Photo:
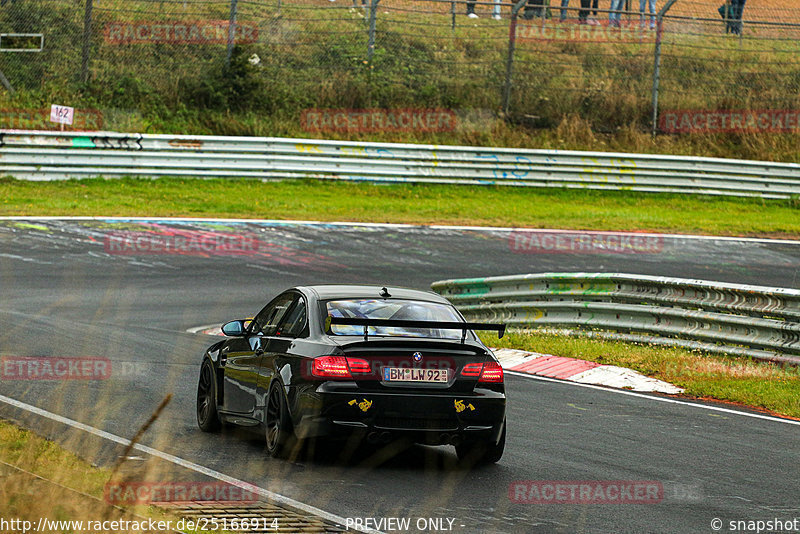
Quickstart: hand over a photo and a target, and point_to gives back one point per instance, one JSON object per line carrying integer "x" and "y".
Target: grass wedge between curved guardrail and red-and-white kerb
{"x": 754, "y": 383}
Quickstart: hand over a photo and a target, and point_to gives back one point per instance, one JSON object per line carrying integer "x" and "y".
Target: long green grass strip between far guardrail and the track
{"x": 404, "y": 203}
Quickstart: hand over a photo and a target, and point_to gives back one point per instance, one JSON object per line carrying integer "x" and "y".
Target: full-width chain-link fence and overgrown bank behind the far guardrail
{"x": 673, "y": 66}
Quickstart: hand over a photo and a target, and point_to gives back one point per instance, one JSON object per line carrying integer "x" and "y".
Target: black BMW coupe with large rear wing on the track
{"x": 332, "y": 361}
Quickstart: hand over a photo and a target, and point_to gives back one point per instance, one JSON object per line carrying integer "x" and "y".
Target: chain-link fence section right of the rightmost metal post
{"x": 720, "y": 73}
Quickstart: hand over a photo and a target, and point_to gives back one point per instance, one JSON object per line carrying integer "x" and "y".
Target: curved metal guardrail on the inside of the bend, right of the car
{"x": 760, "y": 322}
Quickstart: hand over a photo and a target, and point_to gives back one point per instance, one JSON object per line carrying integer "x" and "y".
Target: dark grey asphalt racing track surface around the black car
{"x": 65, "y": 294}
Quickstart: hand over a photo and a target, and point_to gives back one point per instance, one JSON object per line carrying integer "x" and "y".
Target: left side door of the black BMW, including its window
{"x": 244, "y": 355}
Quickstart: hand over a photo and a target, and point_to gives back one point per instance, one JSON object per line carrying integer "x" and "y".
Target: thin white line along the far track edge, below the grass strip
{"x": 397, "y": 225}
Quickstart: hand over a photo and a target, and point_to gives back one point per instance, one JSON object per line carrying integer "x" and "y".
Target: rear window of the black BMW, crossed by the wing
{"x": 407, "y": 310}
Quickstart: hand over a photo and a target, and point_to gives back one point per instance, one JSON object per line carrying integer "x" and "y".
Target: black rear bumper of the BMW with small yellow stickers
{"x": 436, "y": 418}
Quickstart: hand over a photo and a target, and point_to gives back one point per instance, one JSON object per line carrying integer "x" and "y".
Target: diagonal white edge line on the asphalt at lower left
{"x": 278, "y": 498}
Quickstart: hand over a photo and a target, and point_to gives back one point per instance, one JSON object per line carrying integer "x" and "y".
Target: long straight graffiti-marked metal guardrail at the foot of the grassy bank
{"x": 34, "y": 155}
